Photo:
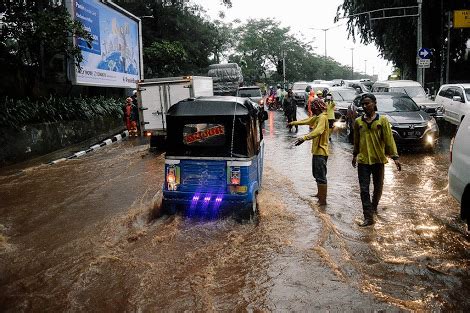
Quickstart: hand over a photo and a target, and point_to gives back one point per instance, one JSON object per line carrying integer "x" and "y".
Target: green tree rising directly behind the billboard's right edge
{"x": 179, "y": 39}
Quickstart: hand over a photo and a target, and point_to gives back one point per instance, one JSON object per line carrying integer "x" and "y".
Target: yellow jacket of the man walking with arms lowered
{"x": 374, "y": 141}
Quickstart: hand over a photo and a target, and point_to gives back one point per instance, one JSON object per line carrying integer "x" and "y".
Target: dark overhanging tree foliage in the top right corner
{"x": 397, "y": 40}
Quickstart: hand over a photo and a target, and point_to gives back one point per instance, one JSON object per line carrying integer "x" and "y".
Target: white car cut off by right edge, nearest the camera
{"x": 459, "y": 170}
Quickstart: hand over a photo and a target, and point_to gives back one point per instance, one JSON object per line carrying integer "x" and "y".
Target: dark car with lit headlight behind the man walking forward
{"x": 411, "y": 126}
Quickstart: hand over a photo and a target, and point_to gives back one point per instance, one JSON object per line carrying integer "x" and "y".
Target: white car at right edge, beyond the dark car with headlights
{"x": 455, "y": 100}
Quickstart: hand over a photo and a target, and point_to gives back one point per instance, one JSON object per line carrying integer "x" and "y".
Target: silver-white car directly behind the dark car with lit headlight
{"x": 412, "y": 89}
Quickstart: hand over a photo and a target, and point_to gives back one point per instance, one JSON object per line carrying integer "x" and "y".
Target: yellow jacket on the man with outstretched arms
{"x": 319, "y": 134}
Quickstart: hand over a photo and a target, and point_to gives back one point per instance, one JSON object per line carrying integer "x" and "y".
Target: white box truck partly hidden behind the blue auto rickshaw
{"x": 156, "y": 96}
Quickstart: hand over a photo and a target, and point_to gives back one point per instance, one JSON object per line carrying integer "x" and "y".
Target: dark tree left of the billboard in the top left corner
{"x": 33, "y": 33}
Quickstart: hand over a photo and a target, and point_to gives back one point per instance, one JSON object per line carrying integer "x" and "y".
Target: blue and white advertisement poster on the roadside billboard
{"x": 113, "y": 58}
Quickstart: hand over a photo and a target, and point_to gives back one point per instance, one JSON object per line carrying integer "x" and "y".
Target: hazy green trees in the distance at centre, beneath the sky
{"x": 261, "y": 45}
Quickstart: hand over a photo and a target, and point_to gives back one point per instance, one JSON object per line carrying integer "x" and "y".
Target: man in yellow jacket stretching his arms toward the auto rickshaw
{"x": 319, "y": 137}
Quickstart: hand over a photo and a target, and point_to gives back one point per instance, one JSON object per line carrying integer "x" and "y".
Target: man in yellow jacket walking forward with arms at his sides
{"x": 373, "y": 142}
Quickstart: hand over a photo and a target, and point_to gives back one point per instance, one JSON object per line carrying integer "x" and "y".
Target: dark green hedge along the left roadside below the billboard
{"x": 16, "y": 113}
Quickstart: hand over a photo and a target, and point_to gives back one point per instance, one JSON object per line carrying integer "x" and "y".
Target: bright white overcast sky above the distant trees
{"x": 301, "y": 16}
